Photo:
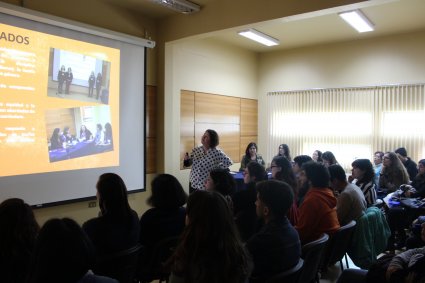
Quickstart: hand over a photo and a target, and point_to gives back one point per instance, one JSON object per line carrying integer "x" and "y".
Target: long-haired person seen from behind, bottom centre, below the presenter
{"x": 210, "y": 250}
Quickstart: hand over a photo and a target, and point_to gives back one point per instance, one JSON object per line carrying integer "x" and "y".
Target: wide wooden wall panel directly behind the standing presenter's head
{"x": 229, "y": 137}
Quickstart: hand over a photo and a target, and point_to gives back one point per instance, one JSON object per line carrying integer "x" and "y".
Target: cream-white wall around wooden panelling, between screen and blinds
{"x": 205, "y": 66}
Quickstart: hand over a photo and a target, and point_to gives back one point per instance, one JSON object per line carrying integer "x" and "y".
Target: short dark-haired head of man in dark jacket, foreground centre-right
{"x": 274, "y": 198}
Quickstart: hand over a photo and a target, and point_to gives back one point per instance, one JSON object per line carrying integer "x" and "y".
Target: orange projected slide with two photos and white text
{"x": 59, "y": 103}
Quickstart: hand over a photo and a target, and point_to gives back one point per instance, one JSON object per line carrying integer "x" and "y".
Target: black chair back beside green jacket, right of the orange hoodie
{"x": 337, "y": 246}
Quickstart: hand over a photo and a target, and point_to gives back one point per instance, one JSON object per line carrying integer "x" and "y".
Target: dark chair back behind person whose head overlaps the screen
{"x": 121, "y": 265}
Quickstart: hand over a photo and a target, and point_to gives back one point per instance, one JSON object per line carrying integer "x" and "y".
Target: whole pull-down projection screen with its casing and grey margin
{"x": 72, "y": 106}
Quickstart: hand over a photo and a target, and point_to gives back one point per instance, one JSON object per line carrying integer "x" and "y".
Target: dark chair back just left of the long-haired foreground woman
{"x": 152, "y": 268}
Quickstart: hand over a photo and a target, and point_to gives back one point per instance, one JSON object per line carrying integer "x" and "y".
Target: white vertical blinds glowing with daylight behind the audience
{"x": 351, "y": 122}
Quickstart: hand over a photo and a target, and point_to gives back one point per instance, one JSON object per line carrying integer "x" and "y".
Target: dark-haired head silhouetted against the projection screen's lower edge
{"x": 112, "y": 195}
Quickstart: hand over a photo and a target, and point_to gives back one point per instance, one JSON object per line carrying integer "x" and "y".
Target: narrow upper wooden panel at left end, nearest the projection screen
{"x": 187, "y": 113}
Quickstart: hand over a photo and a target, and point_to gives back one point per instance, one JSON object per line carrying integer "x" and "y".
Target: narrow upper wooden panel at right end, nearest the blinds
{"x": 249, "y": 117}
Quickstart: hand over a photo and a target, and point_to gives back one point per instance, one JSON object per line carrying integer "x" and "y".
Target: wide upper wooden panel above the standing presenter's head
{"x": 210, "y": 108}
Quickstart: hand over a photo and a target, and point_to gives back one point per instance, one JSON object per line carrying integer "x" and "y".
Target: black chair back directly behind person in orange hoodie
{"x": 312, "y": 255}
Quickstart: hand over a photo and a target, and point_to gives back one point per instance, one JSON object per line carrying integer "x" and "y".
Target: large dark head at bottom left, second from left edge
{"x": 63, "y": 253}
